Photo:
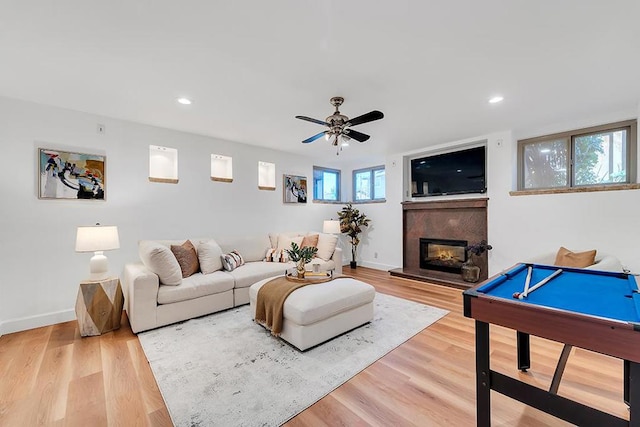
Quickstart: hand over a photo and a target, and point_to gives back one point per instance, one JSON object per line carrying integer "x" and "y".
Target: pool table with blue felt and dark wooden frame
{"x": 594, "y": 310}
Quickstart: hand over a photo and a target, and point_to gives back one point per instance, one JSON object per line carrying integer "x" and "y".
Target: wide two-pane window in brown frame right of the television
{"x": 601, "y": 155}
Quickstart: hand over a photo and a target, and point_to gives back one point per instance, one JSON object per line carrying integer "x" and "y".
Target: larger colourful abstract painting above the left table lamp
{"x": 69, "y": 175}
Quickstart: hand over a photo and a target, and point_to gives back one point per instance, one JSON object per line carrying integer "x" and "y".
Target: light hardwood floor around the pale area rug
{"x": 52, "y": 376}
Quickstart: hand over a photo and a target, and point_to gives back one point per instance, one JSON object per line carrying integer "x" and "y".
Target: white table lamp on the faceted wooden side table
{"x": 97, "y": 238}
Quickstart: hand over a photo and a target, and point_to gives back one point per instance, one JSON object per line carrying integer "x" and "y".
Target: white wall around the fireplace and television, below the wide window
{"x": 519, "y": 227}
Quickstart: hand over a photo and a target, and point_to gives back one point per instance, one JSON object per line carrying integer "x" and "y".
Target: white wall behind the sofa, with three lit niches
{"x": 40, "y": 271}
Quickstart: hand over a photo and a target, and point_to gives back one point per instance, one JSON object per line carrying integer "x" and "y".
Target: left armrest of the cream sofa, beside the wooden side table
{"x": 141, "y": 296}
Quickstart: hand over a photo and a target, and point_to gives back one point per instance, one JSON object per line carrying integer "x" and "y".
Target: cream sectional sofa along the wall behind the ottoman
{"x": 157, "y": 295}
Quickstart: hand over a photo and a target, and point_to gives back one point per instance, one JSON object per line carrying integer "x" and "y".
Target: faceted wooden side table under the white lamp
{"x": 99, "y": 306}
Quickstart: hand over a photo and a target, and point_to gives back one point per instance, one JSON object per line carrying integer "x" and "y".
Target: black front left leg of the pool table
{"x": 483, "y": 376}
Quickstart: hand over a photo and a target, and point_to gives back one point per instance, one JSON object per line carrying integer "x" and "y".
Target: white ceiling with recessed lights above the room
{"x": 251, "y": 66}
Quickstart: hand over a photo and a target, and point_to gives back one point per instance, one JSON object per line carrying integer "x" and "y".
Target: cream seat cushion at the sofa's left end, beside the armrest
{"x": 195, "y": 286}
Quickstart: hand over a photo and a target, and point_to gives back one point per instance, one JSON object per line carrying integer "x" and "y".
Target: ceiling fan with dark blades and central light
{"x": 339, "y": 125}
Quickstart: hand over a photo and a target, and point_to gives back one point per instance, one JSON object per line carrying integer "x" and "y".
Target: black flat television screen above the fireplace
{"x": 458, "y": 172}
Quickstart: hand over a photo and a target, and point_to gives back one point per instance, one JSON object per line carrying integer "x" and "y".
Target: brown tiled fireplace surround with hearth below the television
{"x": 461, "y": 219}
